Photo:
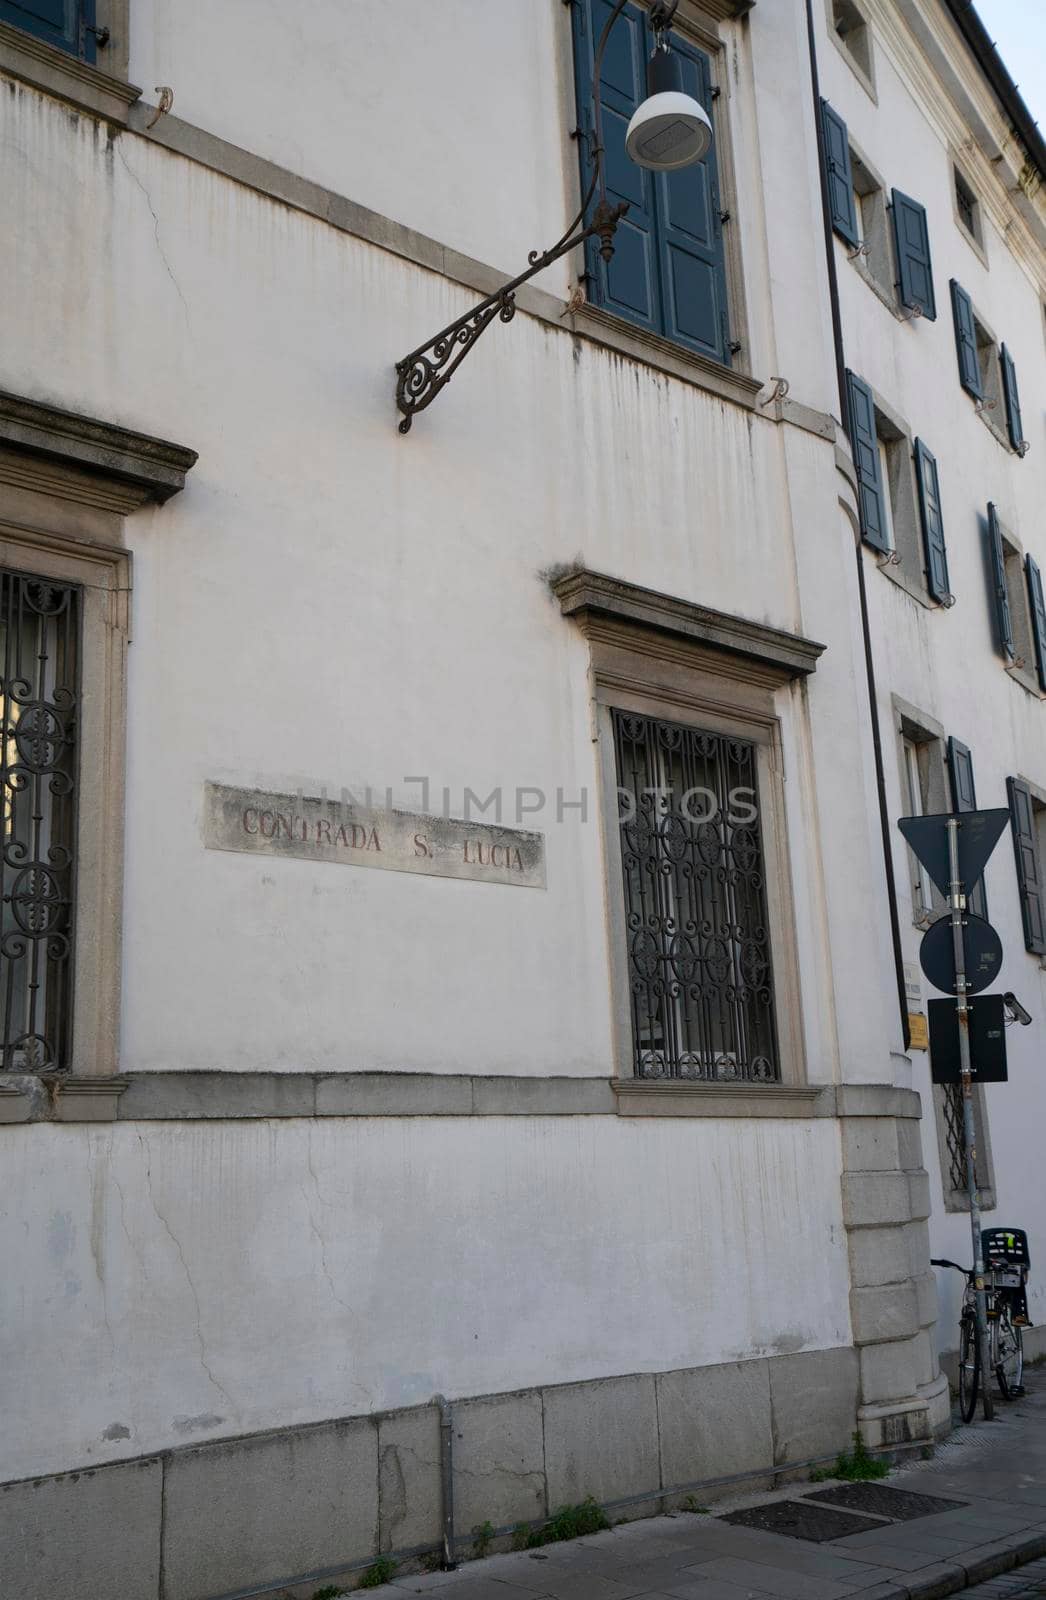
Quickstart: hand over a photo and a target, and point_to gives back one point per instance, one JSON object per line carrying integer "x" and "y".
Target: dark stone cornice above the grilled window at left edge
{"x": 84, "y": 458}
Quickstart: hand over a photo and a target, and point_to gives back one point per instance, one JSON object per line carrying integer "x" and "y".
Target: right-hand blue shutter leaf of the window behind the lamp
{"x": 690, "y": 234}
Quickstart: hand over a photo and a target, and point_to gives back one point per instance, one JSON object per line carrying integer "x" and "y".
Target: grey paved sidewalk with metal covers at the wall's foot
{"x": 997, "y": 1473}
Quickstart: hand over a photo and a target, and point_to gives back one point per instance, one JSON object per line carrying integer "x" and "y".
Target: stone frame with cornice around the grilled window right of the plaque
{"x": 668, "y": 658}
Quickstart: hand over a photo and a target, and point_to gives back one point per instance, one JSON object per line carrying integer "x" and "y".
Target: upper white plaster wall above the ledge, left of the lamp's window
{"x": 449, "y": 118}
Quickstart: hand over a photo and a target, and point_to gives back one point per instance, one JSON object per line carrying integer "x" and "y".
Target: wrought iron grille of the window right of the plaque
{"x": 700, "y": 961}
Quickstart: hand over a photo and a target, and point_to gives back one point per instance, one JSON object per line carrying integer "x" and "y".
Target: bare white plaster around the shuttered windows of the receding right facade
{"x": 944, "y": 663}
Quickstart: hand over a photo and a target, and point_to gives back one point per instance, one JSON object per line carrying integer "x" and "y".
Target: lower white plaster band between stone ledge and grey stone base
{"x": 167, "y": 1284}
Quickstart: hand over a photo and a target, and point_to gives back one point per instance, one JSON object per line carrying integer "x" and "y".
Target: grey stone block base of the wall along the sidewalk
{"x": 269, "y": 1513}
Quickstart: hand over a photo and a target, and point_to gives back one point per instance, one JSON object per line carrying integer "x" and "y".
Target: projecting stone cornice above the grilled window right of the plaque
{"x": 597, "y": 601}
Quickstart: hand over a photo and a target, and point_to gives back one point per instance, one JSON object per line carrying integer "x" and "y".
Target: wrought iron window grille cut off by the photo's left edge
{"x": 39, "y": 714}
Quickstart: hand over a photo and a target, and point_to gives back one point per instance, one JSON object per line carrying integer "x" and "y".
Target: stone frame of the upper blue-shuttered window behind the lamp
{"x": 698, "y": 20}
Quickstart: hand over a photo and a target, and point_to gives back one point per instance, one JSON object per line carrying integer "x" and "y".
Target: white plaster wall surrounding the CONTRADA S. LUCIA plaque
{"x": 332, "y": 604}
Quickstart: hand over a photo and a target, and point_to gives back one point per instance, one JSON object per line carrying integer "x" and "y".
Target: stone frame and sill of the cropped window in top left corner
{"x": 100, "y": 89}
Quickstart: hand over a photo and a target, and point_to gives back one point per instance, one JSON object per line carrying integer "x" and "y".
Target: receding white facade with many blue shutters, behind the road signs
{"x": 940, "y": 265}
